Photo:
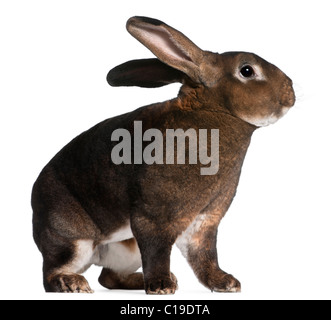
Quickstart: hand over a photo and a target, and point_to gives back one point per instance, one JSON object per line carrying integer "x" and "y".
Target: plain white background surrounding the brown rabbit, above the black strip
{"x": 54, "y": 59}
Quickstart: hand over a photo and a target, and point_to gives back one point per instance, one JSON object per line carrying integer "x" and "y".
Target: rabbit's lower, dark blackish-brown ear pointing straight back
{"x": 147, "y": 73}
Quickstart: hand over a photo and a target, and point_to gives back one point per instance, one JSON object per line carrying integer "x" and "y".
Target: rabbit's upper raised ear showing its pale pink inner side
{"x": 169, "y": 45}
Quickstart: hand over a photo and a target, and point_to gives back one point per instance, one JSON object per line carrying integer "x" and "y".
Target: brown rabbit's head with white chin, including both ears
{"x": 239, "y": 83}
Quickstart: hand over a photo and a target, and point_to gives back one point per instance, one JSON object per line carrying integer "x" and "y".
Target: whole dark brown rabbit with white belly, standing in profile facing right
{"x": 88, "y": 210}
